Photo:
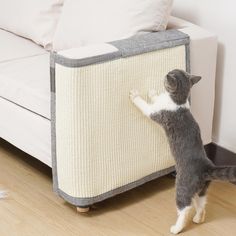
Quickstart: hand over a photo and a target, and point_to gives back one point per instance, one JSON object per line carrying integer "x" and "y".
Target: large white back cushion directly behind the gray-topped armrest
{"x": 93, "y": 21}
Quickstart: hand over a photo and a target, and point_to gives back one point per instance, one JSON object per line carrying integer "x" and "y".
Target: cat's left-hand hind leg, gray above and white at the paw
{"x": 184, "y": 205}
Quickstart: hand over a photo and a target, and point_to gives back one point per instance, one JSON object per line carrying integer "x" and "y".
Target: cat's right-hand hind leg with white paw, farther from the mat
{"x": 200, "y": 201}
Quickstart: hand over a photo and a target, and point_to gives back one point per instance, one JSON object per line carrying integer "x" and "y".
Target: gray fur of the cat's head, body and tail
{"x": 194, "y": 169}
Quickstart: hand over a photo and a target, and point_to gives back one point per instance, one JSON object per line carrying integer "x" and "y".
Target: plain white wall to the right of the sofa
{"x": 219, "y": 17}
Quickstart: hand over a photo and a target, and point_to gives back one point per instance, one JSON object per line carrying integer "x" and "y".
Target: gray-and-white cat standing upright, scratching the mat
{"x": 194, "y": 170}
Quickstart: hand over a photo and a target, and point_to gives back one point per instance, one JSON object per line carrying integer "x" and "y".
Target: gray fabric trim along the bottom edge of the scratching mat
{"x": 82, "y": 202}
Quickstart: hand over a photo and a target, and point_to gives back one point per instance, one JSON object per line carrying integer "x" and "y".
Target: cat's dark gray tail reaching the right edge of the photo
{"x": 224, "y": 173}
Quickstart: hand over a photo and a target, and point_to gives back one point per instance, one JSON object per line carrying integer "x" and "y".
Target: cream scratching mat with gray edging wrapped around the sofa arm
{"x": 101, "y": 144}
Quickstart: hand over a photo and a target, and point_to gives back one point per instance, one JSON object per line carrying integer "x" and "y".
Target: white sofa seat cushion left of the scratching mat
{"x": 24, "y": 74}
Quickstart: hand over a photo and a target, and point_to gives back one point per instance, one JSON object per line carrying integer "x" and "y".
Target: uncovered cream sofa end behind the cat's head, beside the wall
{"x": 203, "y": 55}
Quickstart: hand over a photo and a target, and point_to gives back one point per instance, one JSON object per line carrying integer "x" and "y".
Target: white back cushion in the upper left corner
{"x": 33, "y": 19}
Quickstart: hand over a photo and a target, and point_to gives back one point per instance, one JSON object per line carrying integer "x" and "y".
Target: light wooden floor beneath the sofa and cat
{"x": 32, "y": 209}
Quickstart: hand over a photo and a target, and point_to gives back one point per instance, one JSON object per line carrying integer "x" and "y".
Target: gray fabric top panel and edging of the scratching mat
{"x": 138, "y": 44}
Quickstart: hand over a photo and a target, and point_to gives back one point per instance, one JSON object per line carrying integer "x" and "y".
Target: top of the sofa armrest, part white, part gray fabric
{"x": 136, "y": 45}
